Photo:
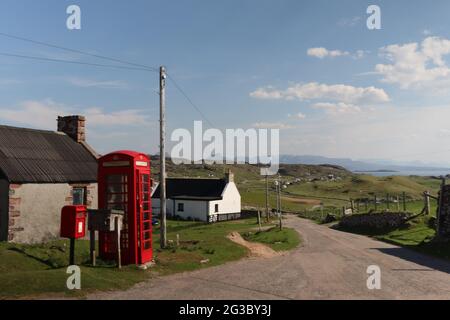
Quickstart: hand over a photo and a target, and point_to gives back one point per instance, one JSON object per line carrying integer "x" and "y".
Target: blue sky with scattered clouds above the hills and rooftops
{"x": 310, "y": 68}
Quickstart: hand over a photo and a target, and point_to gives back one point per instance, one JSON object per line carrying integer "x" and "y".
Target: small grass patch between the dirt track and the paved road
{"x": 278, "y": 240}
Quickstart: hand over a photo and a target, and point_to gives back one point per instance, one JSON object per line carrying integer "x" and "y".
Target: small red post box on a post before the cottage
{"x": 73, "y": 222}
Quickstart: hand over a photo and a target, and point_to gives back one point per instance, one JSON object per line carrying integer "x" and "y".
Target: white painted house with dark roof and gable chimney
{"x": 208, "y": 200}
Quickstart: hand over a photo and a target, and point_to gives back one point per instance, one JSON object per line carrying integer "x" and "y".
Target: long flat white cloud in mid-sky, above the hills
{"x": 315, "y": 91}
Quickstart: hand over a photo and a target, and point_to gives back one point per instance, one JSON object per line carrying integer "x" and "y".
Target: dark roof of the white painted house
{"x": 193, "y": 189}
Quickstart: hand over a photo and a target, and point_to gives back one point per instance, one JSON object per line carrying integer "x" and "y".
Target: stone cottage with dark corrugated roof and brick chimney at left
{"x": 41, "y": 172}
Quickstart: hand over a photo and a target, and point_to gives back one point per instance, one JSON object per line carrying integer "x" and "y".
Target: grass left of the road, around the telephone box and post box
{"x": 30, "y": 270}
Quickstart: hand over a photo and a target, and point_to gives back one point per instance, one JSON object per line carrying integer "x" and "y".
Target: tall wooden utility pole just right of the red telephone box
{"x": 162, "y": 155}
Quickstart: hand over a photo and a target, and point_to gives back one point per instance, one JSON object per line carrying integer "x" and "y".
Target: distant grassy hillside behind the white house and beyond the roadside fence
{"x": 306, "y": 186}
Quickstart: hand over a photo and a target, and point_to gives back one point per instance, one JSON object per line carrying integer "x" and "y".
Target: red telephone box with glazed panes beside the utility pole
{"x": 124, "y": 183}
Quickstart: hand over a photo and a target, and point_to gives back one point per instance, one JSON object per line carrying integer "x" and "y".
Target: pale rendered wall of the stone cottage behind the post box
{"x": 35, "y": 209}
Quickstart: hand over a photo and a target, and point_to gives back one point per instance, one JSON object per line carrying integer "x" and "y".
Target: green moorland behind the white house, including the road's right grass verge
{"x": 318, "y": 191}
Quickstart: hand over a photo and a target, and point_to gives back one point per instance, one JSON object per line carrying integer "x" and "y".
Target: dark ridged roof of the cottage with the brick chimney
{"x": 38, "y": 156}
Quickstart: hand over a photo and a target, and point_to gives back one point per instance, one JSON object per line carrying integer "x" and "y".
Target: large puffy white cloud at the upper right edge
{"x": 415, "y": 65}
